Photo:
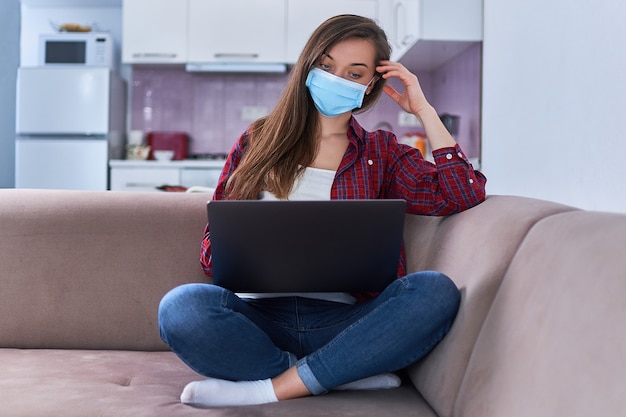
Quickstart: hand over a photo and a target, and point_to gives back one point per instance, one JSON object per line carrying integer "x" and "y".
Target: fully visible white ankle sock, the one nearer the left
{"x": 218, "y": 392}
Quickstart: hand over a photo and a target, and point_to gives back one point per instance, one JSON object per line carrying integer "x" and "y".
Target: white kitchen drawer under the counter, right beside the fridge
{"x": 143, "y": 179}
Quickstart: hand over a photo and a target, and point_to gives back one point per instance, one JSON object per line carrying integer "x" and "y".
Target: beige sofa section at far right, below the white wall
{"x": 554, "y": 341}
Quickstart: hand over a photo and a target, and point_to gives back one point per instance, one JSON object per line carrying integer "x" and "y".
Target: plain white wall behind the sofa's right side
{"x": 554, "y": 100}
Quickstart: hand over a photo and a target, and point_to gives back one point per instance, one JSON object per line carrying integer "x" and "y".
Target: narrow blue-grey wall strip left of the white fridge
{"x": 9, "y": 45}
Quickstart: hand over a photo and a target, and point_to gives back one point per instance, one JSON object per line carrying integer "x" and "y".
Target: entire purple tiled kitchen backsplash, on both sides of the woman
{"x": 208, "y": 106}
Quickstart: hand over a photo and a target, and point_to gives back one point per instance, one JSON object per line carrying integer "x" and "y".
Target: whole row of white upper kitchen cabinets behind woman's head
{"x": 423, "y": 34}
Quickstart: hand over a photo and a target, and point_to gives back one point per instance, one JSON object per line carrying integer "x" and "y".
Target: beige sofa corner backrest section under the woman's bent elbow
{"x": 474, "y": 248}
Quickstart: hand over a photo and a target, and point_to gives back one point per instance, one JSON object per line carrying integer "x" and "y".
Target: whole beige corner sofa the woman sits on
{"x": 541, "y": 330}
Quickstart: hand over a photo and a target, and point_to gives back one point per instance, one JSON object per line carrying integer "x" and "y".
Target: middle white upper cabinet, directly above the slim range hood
{"x": 237, "y": 31}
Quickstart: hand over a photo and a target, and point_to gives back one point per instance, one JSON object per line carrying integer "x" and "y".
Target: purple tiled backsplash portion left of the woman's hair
{"x": 207, "y": 106}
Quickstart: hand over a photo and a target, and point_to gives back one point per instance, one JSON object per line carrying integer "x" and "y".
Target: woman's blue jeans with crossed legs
{"x": 219, "y": 335}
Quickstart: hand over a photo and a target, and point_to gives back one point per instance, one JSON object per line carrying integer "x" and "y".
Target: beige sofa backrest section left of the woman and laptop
{"x": 86, "y": 270}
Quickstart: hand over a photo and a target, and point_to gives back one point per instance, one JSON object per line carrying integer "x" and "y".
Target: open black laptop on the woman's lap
{"x": 305, "y": 246}
